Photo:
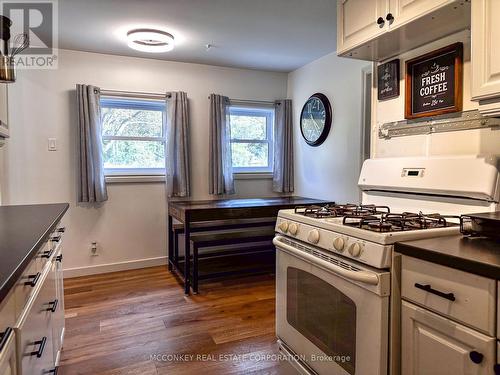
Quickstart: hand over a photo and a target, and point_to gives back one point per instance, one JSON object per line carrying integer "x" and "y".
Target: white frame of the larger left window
{"x": 136, "y": 174}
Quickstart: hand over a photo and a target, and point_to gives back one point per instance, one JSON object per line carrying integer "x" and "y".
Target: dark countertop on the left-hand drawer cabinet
{"x": 23, "y": 229}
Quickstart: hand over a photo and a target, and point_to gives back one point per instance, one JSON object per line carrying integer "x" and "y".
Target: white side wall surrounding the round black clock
{"x": 331, "y": 170}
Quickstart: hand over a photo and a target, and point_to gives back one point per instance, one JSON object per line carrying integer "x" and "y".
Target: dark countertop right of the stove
{"x": 477, "y": 255}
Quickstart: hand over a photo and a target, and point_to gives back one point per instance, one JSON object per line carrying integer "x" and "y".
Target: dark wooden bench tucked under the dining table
{"x": 253, "y": 241}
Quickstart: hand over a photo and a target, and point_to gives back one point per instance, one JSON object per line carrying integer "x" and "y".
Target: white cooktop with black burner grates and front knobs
{"x": 365, "y": 233}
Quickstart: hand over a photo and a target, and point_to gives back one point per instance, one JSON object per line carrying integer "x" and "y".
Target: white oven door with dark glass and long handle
{"x": 331, "y": 312}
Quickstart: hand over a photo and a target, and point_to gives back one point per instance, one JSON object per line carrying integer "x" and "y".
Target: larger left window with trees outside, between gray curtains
{"x": 133, "y": 136}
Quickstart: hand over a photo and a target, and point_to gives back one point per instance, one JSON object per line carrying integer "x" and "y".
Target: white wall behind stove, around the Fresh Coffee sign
{"x": 471, "y": 142}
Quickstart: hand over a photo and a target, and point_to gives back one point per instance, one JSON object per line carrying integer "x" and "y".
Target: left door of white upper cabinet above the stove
{"x": 359, "y": 21}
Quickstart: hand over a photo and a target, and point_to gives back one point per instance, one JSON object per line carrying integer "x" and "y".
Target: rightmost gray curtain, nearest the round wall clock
{"x": 283, "y": 175}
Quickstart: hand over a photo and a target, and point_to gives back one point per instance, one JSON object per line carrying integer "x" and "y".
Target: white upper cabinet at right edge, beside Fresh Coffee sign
{"x": 485, "y": 30}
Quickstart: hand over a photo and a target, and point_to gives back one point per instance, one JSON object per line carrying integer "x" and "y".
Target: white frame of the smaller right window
{"x": 256, "y": 111}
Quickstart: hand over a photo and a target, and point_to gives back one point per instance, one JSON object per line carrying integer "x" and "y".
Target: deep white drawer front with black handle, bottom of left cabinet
{"x": 34, "y": 332}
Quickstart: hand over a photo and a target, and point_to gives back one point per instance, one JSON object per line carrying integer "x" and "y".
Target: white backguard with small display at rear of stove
{"x": 468, "y": 176}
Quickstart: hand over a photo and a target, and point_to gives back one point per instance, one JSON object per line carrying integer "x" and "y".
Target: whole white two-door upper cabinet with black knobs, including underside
{"x": 379, "y": 29}
